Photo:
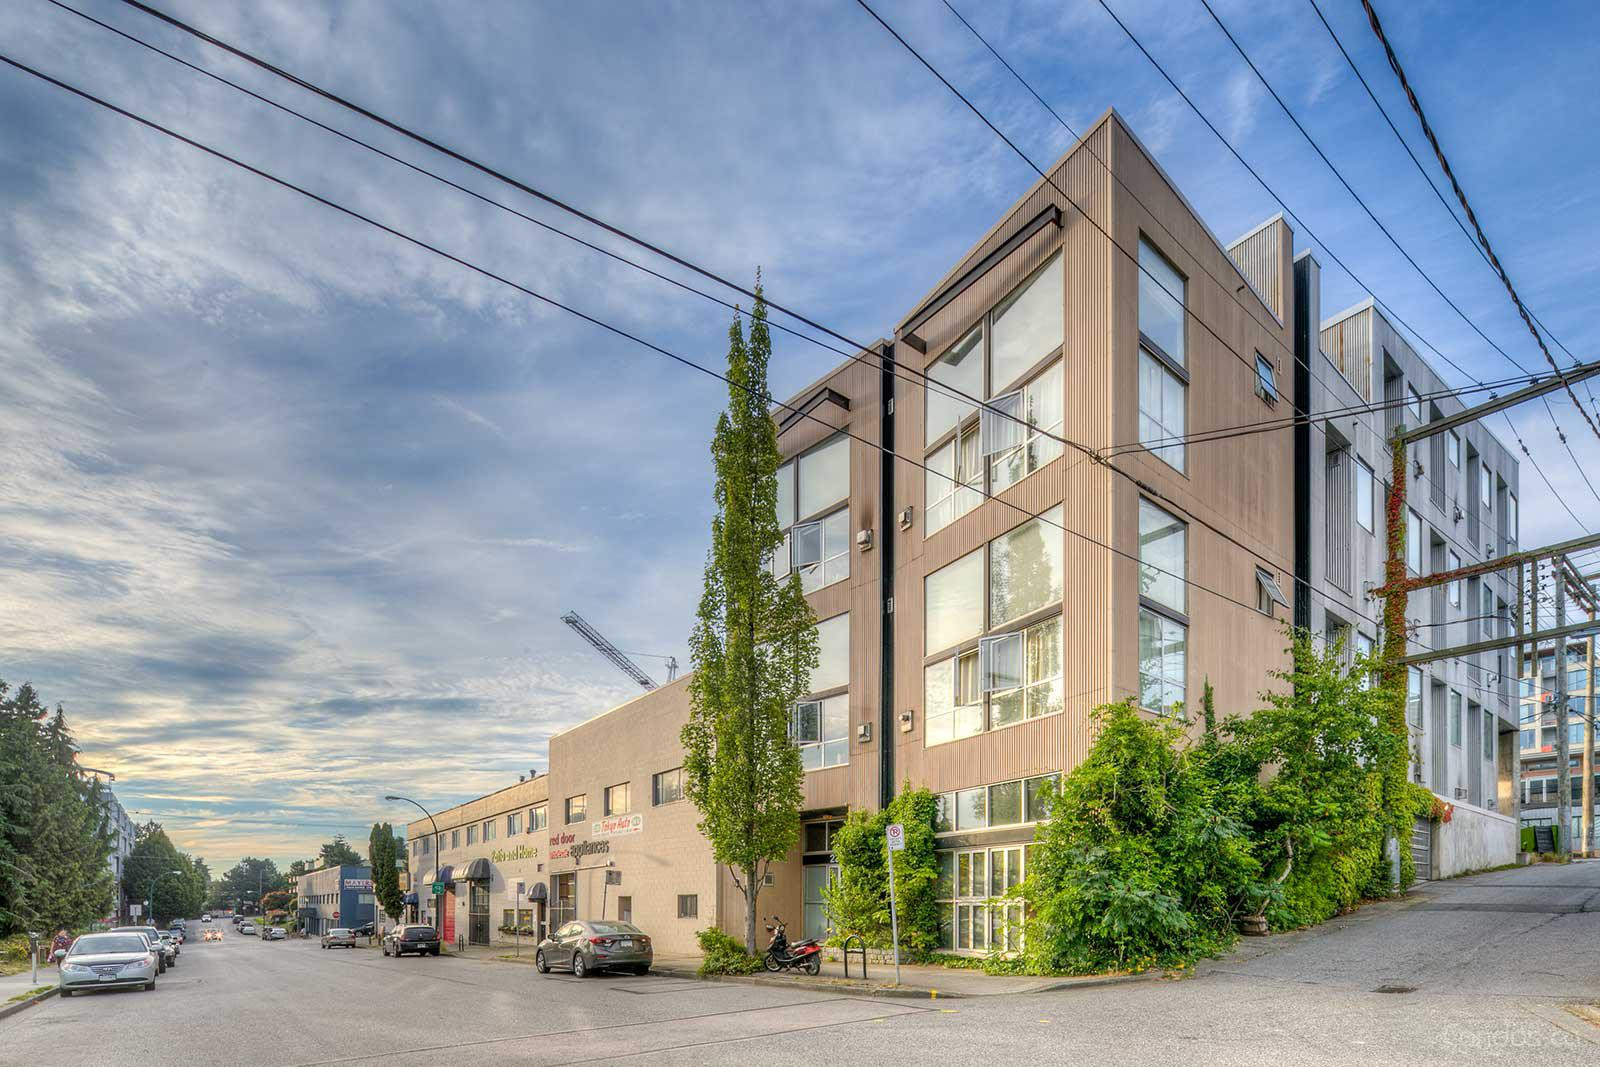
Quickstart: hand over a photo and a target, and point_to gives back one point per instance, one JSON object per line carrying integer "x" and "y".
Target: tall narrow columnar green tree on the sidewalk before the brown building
{"x": 754, "y": 644}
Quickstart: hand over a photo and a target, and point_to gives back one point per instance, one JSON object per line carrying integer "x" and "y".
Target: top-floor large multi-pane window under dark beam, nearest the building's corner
{"x": 1018, "y": 428}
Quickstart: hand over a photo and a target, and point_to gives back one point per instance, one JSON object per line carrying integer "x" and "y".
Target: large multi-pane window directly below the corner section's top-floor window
{"x": 999, "y": 663}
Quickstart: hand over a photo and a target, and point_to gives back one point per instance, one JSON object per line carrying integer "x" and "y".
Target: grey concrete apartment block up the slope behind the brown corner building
{"x": 1462, "y": 502}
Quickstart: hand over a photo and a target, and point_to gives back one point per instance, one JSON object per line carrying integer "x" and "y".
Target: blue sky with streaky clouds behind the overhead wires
{"x": 290, "y": 511}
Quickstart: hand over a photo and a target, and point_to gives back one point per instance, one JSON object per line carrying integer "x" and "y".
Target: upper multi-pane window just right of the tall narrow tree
{"x": 814, "y": 510}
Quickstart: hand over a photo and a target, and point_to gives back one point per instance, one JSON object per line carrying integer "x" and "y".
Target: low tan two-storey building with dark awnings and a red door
{"x": 479, "y": 868}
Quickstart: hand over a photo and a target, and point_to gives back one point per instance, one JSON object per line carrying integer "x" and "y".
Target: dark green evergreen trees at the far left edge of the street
{"x": 55, "y": 842}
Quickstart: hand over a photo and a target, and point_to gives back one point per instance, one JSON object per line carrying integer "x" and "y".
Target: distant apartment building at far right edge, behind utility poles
{"x": 1538, "y": 740}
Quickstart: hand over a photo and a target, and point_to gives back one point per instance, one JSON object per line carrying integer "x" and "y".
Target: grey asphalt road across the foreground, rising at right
{"x": 1478, "y": 970}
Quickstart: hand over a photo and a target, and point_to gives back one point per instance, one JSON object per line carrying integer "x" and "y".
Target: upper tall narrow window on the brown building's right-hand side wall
{"x": 1162, "y": 358}
